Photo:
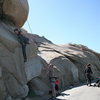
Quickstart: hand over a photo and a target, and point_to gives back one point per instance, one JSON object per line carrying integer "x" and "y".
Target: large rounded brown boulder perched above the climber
{"x": 14, "y": 11}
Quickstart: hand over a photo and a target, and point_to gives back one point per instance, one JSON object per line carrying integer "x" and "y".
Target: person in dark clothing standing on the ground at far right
{"x": 88, "y": 73}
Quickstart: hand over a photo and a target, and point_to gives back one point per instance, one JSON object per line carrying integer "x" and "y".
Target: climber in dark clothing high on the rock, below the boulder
{"x": 23, "y": 41}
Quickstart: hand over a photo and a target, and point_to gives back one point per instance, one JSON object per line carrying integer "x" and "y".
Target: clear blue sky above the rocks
{"x": 66, "y": 21}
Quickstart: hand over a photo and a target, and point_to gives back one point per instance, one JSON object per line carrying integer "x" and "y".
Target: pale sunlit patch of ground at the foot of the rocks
{"x": 81, "y": 93}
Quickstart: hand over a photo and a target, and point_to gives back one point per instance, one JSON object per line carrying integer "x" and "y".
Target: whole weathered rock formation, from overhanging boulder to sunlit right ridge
{"x": 18, "y": 79}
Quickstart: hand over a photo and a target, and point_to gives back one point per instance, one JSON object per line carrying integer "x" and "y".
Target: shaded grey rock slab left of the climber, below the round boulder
{"x": 12, "y": 66}
